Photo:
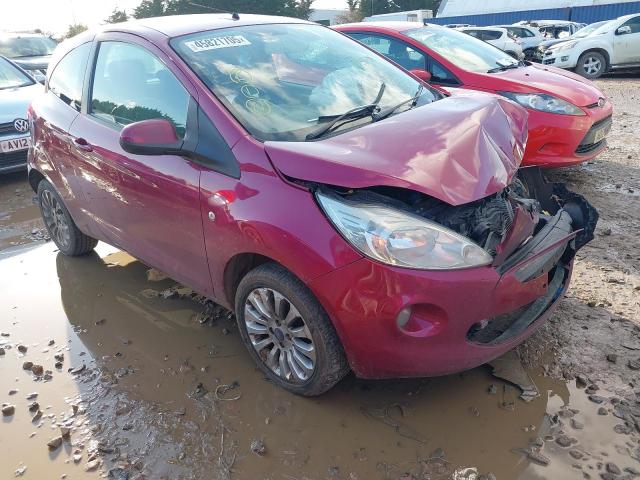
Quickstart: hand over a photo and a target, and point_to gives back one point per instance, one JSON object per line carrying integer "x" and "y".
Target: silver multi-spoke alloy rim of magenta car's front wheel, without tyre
{"x": 279, "y": 335}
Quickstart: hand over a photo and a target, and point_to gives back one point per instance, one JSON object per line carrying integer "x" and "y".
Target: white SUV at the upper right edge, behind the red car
{"x": 613, "y": 46}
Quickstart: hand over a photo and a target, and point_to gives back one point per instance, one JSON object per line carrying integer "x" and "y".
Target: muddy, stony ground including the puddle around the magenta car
{"x": 149, "y": 387}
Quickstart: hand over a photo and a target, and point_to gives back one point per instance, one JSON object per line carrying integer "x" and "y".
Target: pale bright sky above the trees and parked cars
{"x": 55, "y": 15}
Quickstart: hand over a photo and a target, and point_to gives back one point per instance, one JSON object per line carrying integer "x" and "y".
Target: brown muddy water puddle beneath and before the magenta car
{"x": 159, "y": 394}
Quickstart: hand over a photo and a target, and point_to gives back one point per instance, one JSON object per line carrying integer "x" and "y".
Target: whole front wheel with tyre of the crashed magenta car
{"x": 287, "y": 332}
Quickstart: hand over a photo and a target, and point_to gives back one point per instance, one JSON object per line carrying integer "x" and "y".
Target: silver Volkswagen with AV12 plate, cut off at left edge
{"x": 17, "y": 89}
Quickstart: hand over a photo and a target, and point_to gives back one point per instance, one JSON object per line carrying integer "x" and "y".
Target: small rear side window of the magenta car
{"x": 67, "y": 78}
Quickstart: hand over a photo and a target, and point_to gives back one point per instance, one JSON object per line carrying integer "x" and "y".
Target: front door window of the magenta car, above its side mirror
{"x": 130, "y": 84}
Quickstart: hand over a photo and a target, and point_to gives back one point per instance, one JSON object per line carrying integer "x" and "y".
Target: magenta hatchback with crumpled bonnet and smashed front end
{"x": 350, "y": 215}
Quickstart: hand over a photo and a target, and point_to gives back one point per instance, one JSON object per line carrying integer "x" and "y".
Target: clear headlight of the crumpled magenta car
{"x": 401, "y": 239}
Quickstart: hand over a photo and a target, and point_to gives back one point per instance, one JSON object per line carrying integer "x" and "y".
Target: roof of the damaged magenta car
{"x": 177, "y": 25}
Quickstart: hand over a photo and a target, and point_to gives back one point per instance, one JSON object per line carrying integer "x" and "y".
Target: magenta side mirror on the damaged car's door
{"x": 150, "y": 137}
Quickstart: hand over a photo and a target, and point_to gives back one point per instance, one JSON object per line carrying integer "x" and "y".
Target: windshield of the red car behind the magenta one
{"x": 464, "y": 51}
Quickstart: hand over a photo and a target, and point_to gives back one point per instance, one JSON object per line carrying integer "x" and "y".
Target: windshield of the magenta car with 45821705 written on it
{"x": 284, "y": 81}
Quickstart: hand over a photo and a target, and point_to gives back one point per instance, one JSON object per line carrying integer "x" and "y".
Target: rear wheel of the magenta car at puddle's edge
{"x": 61, "y": 227}
